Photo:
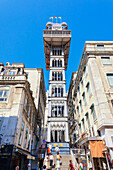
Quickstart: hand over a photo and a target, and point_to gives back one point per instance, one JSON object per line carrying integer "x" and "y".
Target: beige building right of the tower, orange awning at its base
{"x": 93, "y": 95}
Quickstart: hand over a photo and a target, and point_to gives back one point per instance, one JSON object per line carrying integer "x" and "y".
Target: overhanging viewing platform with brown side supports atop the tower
{"x": 56, "y": 36}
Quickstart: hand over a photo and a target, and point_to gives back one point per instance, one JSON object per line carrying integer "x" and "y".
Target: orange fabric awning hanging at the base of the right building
{"x": 96, "y": 149}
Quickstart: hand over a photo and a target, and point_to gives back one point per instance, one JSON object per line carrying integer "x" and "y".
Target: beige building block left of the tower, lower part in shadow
{"x": 22, "y": 103}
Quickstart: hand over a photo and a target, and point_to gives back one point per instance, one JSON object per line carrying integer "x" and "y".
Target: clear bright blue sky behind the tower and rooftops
{"x": 22, "y": 23}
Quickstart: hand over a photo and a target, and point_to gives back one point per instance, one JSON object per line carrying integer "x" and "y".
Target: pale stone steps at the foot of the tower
{"x": 65, "y": 161}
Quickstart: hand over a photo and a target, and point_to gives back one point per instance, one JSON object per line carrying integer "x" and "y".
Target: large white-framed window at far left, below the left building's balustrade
{"x": 4, "y": 92}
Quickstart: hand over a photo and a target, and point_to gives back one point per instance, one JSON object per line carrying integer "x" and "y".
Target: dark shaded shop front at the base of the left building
{"x": 11, "y": 156}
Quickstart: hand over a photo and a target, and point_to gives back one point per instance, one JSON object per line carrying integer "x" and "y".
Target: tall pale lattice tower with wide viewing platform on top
{"x": 56, "y": 44}
